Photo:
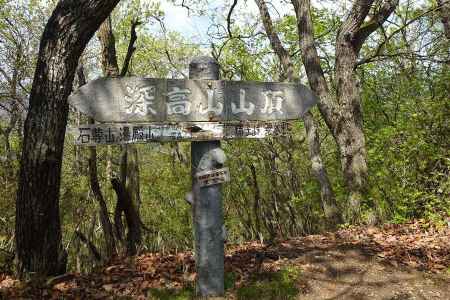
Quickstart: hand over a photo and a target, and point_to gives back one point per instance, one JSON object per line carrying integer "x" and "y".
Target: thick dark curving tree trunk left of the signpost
{"x": 38, "y": 228}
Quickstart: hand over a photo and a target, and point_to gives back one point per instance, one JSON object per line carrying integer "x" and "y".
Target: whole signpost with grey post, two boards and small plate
{"x": 203, "y": 110}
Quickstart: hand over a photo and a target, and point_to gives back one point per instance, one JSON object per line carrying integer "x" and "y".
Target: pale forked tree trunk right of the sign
{"x": 343, "y": 113}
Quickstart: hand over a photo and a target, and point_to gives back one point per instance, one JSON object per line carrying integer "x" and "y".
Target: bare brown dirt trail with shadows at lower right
{"x": 352, "y": 273}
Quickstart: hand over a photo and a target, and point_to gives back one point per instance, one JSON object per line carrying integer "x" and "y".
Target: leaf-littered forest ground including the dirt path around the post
{"x": 395, "y": 262}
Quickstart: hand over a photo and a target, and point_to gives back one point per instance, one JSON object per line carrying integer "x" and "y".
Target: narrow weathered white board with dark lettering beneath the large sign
{"x": 107, "y": 134}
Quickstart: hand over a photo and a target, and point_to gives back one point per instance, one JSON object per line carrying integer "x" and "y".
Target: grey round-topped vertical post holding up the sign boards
{"x": 207, "y": 206}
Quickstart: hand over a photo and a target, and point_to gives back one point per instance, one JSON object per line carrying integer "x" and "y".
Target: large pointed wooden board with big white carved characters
{"x": 138, "y": 99}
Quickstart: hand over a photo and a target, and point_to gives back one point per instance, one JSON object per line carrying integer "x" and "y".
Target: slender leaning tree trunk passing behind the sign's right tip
{"x": 328, "y": 198}
